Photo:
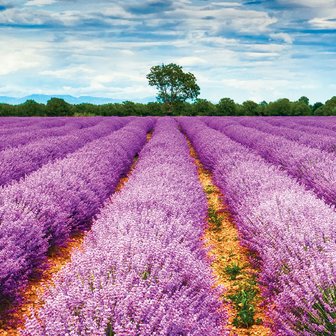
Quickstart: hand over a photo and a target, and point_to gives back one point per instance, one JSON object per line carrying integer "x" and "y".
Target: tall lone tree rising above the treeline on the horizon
{"x": 173, "y": 84}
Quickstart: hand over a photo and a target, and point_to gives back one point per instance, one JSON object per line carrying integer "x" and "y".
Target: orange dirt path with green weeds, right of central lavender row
{"x": 231, "y": 264}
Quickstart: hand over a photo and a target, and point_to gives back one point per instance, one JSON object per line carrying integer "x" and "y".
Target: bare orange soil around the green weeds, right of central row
{"x": 225, "y": 249}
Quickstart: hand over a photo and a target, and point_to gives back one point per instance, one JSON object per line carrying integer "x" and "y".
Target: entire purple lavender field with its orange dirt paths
{"x": 168, "y": 226}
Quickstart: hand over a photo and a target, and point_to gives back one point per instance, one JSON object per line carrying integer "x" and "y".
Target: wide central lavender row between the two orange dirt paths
{"x": 143, "y": 269}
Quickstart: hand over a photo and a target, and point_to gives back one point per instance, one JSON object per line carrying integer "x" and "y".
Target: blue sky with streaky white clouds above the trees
{"x": 259, "y": 50}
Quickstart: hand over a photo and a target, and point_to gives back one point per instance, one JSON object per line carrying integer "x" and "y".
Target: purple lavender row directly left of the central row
{"x": 42, "y": 209}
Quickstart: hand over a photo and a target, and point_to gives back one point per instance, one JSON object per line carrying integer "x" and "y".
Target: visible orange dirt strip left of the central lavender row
{"x": 32, "y": 297}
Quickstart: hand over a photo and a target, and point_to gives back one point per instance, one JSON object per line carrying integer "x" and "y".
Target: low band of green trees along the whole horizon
{"x": 225, "y": 107}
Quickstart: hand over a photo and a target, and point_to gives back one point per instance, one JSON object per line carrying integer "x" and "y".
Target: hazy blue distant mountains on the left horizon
{"x": 40, "y": 98}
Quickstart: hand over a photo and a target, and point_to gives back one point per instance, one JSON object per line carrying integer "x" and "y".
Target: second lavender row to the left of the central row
{"x": 19, "y": 161}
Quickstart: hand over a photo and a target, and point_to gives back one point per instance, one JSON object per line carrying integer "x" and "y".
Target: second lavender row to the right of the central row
{"x": 313, "y": 167}
